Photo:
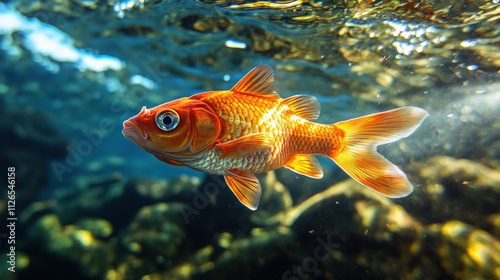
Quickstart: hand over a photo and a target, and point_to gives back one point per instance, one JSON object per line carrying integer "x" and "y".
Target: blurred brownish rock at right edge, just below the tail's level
{"x": 454, "y": 189}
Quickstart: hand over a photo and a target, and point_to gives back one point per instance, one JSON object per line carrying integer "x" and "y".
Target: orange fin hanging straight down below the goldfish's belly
{"x": 245, "y": 187}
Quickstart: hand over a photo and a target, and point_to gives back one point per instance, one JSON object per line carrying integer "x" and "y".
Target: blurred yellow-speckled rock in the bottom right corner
{"x": 455, "y": 250}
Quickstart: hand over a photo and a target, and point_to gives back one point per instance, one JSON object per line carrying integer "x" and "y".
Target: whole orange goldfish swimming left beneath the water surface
{"x": 250, "y": 129}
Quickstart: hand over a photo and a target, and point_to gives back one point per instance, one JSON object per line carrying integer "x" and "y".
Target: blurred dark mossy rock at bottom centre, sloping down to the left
{"x": 241, "y": 258}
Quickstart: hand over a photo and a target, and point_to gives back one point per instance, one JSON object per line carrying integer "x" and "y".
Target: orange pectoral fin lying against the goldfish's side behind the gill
{"x": 245, "y": 145}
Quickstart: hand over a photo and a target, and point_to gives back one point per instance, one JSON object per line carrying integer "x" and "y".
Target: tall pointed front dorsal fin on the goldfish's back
{"x": 260, "y": 81}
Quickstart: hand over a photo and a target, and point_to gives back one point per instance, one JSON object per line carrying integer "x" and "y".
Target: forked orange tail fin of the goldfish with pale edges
{"x": 359, "y": 157}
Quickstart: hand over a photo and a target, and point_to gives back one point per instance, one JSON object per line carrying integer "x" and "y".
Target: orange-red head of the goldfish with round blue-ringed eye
{"x": 181, "y": 130}
